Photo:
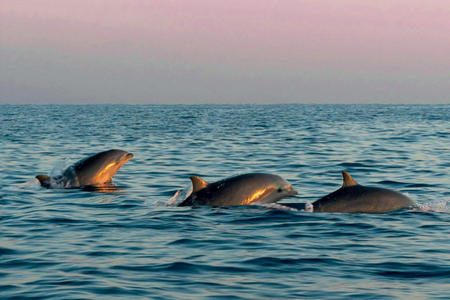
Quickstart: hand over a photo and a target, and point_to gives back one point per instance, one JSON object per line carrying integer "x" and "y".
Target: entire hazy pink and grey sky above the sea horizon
{"x": 216, "y": 51}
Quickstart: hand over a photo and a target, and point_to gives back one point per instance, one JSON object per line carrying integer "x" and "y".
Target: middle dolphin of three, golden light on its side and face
{"x": 244, "y": 189}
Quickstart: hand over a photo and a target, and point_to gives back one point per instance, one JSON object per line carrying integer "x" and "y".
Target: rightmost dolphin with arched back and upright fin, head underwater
{"x": 355, "y": 198}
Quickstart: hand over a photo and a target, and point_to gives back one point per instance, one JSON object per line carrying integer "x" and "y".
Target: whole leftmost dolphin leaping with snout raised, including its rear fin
{"x": 94, "y": 170}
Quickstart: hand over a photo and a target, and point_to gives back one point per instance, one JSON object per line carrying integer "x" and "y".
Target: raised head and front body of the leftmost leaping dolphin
{"x": 99, "y": 168}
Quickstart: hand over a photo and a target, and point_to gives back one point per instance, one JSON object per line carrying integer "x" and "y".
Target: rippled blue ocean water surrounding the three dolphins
{"x": 133, "y": 244}
